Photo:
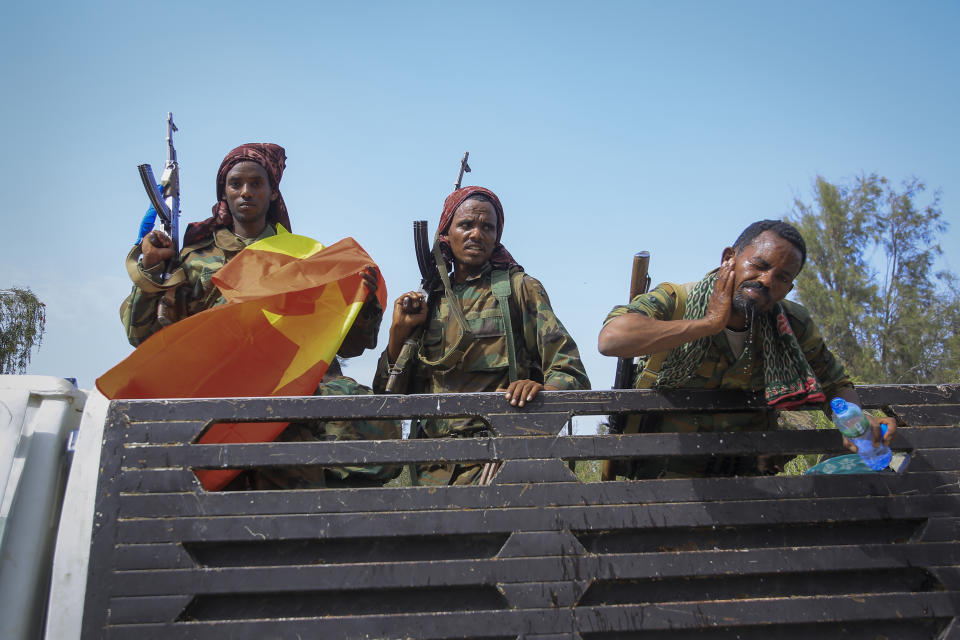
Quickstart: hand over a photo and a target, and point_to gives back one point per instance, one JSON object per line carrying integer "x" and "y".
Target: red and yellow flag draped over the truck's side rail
{"x": 290, "y": 303}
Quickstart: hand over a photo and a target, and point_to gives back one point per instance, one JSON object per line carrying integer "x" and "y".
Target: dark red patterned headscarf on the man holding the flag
{"x": 272, "y": 158}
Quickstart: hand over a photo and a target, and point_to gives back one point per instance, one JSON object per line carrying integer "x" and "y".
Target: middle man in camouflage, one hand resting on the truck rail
{"x": 546, "y": 357}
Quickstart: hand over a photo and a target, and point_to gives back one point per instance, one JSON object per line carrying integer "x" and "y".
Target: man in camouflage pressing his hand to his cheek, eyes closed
{"x": 736, "y": 331}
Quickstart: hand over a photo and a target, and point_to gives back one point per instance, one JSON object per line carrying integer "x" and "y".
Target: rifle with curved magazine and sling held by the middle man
{"x": 432, "y": 274}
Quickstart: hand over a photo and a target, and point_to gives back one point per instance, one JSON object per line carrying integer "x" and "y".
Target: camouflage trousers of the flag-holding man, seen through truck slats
{"x": 313, "y": 477}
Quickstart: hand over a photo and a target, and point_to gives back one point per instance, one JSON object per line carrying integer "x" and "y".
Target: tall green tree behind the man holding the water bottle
{"x": 870, "y": 283}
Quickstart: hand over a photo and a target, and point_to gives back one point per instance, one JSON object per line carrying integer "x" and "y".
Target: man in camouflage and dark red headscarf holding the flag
{"x": 249, "y": 207}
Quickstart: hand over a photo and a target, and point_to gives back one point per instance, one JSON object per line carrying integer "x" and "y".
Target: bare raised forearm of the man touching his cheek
{"x": 634, "y": 334}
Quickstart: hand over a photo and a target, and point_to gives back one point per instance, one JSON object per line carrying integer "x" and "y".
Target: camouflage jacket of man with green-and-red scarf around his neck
{"x": 721, "y": 369}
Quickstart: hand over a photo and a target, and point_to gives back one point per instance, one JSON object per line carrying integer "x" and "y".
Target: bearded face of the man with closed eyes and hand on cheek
{"x": 764, "y": 272}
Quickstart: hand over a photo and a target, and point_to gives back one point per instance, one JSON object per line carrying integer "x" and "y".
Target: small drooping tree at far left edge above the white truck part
{"x": 22, "y": 322}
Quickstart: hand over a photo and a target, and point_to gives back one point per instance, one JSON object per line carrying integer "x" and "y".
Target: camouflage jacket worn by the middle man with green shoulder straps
{"x": 545, "y": 351}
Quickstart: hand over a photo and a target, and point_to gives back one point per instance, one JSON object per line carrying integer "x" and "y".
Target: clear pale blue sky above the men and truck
{"x": 605, "y": 128}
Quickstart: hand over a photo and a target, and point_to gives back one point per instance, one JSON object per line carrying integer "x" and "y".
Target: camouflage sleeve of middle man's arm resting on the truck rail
{"x": 544, "y": 334}
